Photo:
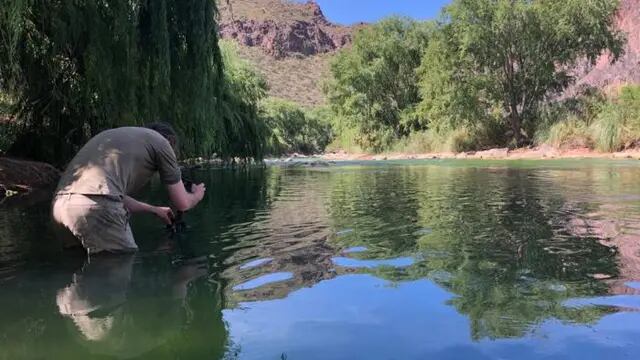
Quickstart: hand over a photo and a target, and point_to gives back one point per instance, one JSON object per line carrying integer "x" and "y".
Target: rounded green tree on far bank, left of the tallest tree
{"x": 374, "y": 87}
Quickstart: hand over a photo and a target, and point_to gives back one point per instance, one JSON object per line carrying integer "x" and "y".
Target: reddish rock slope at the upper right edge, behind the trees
{"x": 606, "y": 75}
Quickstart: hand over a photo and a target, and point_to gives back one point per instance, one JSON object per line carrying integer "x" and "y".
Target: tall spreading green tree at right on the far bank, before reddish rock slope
{"x": 519, "y": 51}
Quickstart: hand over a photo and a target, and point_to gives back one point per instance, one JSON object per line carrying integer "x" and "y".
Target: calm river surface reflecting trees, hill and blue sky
{"x": 393, "y": 260}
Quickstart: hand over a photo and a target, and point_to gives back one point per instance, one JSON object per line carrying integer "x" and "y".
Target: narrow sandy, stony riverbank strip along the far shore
{"x": 537, "y": 153}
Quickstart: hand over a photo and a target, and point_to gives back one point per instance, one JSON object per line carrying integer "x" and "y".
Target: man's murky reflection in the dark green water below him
{"x": 116, "y": 316}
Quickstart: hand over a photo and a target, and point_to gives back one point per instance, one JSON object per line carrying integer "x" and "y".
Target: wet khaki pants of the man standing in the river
{"x": 98, "y": 222}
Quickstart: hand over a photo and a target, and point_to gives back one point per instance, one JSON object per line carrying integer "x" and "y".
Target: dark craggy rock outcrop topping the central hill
{"x": 282, "y": 28}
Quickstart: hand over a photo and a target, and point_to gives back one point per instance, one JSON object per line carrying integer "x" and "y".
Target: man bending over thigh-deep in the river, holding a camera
{"x": 93, "y": 202}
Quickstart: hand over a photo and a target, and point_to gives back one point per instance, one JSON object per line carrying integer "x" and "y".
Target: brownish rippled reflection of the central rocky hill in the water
{"x": 289, "y": 233}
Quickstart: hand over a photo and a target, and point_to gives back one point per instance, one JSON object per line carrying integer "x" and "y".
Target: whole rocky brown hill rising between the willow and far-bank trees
{"x": 291, "y": 43}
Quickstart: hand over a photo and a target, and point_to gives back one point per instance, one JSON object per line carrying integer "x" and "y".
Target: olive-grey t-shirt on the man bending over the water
{"x": 119, "y": 162}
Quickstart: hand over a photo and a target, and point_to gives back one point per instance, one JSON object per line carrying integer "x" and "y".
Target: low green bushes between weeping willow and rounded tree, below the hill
{"x": 294, "y": 129}
